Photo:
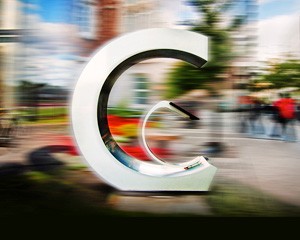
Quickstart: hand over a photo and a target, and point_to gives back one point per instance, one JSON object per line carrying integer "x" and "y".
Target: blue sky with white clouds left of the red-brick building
{"x": 50, "y": 53}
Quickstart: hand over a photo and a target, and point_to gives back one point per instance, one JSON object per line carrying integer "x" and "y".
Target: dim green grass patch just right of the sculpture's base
{"x": 237, "y": 200}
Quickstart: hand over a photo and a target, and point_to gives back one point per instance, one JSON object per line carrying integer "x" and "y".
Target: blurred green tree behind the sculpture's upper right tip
{"x": 214, "y": 24}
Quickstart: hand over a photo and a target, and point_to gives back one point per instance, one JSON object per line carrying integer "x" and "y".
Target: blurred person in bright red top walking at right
{"x": 285, "y": 116}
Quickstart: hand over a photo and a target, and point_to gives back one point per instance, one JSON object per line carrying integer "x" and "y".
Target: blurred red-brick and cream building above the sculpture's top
{"x": 99, "y": 21}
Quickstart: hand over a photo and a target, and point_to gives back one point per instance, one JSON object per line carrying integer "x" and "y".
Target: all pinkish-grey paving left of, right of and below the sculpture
{"x": 270, "y": 166}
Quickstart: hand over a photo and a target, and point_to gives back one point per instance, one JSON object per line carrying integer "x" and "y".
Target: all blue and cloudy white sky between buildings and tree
{"x": 278, "y": 30}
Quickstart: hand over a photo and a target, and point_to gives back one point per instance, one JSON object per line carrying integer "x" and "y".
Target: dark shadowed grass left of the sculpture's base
{"x": 44, "y": 194}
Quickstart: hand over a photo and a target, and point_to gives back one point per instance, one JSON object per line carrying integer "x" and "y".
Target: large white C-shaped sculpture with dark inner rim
{"x": 89, "y": 112}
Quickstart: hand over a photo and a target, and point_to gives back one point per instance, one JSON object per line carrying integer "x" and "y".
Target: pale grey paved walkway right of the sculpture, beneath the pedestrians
{"x": 269, "y": 165}
